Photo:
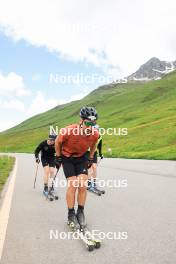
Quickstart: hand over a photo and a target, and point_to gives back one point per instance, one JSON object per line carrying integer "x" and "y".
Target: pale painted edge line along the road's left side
{"x": 5, "y": 209}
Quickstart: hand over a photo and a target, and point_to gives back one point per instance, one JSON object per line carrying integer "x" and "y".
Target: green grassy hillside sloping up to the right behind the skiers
{"x": 148, "y": 111}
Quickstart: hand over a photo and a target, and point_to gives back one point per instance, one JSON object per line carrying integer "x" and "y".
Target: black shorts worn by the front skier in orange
{"x": 74, "y": 166}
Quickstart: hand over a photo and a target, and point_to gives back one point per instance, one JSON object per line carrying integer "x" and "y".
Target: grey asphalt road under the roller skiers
{"x": 144, "y": 208}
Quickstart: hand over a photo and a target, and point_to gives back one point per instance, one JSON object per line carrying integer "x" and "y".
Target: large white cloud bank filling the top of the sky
{"x": 121, "y": 34}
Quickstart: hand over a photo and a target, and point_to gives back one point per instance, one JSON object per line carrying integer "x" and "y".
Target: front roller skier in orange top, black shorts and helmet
{"x": 71, "y": 147}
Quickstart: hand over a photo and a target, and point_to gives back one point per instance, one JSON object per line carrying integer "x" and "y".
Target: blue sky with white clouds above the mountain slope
{"x": 53, "y": 52}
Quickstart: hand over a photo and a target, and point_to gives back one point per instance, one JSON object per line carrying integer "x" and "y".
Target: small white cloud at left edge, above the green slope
{"x": 12, "y": 85}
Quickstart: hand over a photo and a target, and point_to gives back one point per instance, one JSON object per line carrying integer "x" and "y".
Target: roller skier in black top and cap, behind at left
{"x": 47, "y": 150}
